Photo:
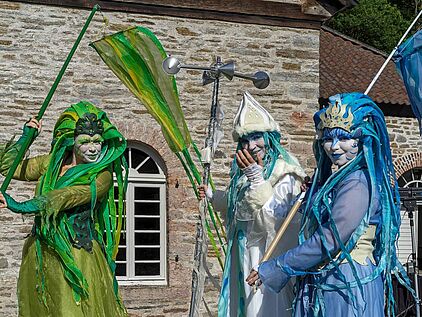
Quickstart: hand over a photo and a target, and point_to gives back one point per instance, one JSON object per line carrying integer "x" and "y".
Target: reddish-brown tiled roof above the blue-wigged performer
{"x": 348, "y": 65}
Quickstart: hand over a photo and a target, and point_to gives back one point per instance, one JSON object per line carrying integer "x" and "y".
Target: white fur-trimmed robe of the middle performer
{"x": 259, "y": 213}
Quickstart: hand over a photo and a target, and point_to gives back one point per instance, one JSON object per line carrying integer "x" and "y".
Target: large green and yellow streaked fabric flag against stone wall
{"x": 135, "y": 56}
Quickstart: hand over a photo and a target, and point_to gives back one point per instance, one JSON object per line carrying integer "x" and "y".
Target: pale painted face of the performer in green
{"x": 87, "y": 149}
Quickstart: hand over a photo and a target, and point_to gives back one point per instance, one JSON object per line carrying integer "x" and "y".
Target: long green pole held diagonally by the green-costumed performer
{"x": 47, "y": 99}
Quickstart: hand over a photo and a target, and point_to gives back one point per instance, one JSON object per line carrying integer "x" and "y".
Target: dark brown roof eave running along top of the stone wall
{"x": 302, "y": 14}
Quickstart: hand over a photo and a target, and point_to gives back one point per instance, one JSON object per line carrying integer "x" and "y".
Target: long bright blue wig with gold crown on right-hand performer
{"x": 361, "y": 118}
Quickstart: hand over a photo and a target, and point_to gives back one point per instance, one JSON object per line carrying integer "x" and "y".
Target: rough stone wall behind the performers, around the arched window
{"x": 34, "y": 42}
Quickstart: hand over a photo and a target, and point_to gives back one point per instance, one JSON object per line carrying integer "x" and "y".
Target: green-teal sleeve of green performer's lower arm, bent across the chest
{"x": 62, "y": 199}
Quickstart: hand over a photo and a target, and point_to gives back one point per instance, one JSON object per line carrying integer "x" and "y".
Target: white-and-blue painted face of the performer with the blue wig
{"x": 340, "y": 148}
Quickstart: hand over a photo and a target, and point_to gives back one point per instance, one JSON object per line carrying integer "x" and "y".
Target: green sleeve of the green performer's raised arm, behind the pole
{"x": 29, "y": 169}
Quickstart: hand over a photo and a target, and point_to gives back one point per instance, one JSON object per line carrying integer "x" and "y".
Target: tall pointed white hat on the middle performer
{"x": 252, "y": 117}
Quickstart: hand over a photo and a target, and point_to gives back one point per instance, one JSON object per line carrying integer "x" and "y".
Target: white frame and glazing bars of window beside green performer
{"x": 153, "y": 181}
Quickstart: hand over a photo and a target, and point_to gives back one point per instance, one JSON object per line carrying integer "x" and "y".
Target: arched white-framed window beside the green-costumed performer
{"x": 142, "y": 251}
